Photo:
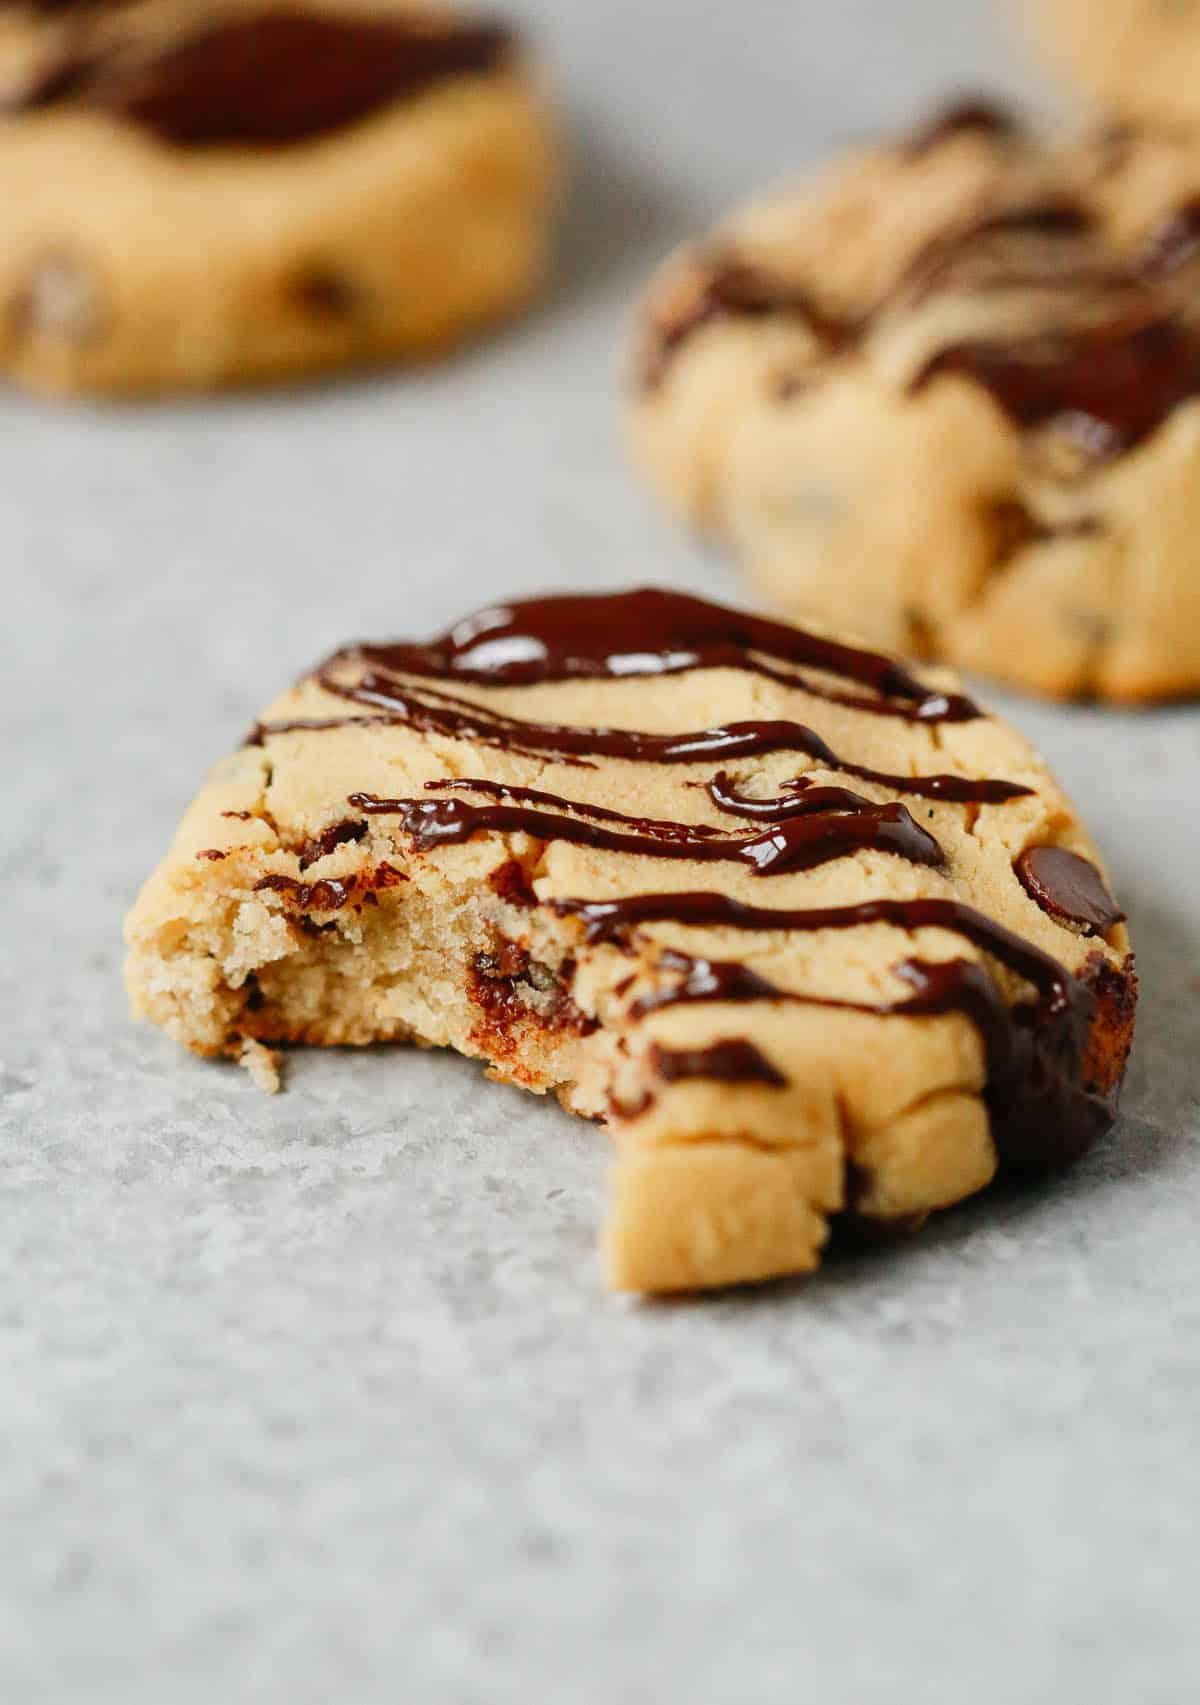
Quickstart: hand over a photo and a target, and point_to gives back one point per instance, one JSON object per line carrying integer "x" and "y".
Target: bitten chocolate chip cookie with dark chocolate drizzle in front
{"x": 812, "y": 935}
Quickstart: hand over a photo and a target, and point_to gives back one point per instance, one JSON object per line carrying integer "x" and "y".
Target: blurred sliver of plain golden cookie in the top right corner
{"x": 1136, "y": 57}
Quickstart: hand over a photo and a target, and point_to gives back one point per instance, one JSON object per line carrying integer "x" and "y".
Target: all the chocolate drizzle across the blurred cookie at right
{"x": 1111, "y": 350}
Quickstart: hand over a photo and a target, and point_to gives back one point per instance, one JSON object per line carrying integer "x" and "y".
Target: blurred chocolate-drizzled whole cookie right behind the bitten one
{"x": 947, "y": 395}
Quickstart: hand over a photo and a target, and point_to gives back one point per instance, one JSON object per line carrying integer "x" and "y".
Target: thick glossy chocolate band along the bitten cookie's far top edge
{"x": 620, "y": 635}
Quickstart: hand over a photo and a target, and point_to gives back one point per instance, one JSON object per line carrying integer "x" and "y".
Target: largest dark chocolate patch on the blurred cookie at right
{"x": 1107, "y": 386}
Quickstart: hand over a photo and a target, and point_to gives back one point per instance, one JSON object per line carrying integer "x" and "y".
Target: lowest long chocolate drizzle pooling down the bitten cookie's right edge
{"x": 1044, "y": 1111}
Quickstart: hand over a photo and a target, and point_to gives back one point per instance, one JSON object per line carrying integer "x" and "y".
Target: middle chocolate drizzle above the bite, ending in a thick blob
{"x": 800, "y": 843}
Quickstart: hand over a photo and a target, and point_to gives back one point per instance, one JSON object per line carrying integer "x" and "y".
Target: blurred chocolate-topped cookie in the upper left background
{"x": 246, "y": 192}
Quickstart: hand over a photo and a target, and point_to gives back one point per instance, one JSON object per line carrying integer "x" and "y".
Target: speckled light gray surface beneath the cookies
{"x": 318, "y": 1397}
